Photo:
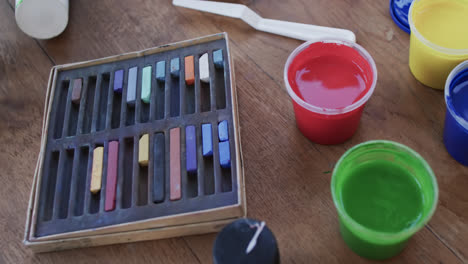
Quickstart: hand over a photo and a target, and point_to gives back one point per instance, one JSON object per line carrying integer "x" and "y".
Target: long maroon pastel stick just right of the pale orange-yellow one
{"x": 111, "y": 178}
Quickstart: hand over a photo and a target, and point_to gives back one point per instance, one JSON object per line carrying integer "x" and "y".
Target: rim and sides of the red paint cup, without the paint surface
{"x": 330, "y": 125}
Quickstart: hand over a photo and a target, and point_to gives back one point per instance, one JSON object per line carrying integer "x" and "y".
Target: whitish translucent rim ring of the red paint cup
{"x": 323, "y": 110}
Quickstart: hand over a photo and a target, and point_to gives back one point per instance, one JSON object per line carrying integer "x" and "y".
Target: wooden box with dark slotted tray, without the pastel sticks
{"x": 63, "y": 170}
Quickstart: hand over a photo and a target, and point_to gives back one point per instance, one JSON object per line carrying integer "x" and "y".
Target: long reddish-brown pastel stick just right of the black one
{"x": 174, "y": 154}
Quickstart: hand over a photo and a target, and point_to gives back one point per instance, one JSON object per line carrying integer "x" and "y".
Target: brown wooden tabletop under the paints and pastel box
{"x": 287, "y": 176}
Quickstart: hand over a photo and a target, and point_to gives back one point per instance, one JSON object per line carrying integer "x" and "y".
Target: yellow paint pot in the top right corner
{"x": 439, "y": 39}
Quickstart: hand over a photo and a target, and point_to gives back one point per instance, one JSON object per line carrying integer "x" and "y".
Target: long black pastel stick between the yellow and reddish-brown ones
{"x": 159, "y": 170}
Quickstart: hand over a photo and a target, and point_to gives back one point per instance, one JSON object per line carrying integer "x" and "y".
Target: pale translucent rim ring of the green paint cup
{"x": 379, "y": 236}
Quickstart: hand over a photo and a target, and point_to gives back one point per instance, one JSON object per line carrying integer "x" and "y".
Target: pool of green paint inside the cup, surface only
{"x": 382, "y": 196}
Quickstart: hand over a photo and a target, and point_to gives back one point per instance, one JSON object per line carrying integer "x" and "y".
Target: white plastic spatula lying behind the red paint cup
{"x": 289, "y": 29}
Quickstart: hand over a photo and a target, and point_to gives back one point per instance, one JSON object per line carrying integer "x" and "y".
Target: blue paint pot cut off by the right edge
{"x": 456, "y": 118}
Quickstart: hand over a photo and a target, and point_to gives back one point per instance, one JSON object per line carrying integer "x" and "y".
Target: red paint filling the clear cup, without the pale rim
{"x": 329, "y": 76}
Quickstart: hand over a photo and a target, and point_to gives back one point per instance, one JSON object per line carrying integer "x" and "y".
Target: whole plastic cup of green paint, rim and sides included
{"x": 384, "y": 193}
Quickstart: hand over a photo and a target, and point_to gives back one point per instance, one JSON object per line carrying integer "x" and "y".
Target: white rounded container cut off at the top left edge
{"x": 42, "y": 19}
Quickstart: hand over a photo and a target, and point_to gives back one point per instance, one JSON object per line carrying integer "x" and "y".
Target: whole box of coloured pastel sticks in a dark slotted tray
{"x": 138, "y": 146}
